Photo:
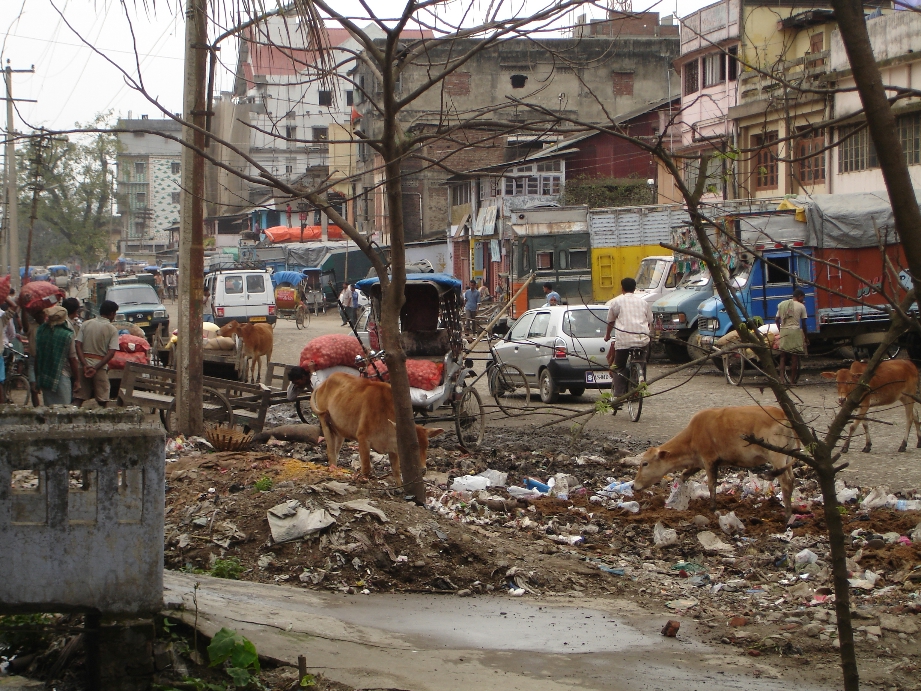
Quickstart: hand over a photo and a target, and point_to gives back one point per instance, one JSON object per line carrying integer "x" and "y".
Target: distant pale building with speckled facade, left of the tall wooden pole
{"x": 148, "y": 183}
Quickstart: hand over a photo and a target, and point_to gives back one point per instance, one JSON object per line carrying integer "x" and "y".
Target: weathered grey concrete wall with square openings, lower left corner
{"x": 81, "y": 511}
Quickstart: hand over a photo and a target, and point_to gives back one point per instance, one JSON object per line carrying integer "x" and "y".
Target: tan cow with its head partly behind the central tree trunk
{"x": 362, "y": 409}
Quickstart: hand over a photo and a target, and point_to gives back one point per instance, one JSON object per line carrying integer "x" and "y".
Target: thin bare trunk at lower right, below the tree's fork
{"x": 835, "y": 528}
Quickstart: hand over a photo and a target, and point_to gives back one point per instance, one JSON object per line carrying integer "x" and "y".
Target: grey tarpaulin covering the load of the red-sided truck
{"x": 848, "y": 220}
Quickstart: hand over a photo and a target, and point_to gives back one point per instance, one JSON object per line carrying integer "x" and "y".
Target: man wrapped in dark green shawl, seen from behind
{"x": 56, "y": 357}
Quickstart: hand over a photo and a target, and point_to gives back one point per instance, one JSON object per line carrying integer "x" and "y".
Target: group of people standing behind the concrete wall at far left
{"x": 67, "y": 361}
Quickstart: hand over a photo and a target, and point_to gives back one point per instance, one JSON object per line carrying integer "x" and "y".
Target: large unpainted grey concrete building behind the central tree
{"x": 494, "y": 101}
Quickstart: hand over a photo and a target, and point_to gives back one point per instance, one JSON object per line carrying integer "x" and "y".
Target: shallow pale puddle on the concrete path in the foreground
{"x": 492, "y": 624}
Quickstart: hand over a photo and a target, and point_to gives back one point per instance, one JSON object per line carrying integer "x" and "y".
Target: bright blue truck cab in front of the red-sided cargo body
{"x": 760, "y": 287}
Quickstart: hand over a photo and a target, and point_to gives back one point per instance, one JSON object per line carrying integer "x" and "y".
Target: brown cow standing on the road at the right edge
{"x": 894, "y": 380}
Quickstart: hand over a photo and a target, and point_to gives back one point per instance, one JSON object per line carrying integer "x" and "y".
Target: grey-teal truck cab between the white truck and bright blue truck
{"x": 675, "y": 316}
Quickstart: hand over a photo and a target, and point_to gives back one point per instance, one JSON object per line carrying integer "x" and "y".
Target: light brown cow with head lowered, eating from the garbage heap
{"x": 713, "y": 438}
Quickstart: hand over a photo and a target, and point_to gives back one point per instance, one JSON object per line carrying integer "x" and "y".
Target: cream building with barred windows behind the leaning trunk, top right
{"x": 896, "y": 41}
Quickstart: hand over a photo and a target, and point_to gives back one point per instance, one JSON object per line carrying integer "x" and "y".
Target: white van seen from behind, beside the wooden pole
{"x": 244, "y": 295}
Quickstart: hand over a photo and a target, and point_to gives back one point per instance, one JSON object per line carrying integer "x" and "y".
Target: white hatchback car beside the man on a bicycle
{"x": 558, "y": 348}
